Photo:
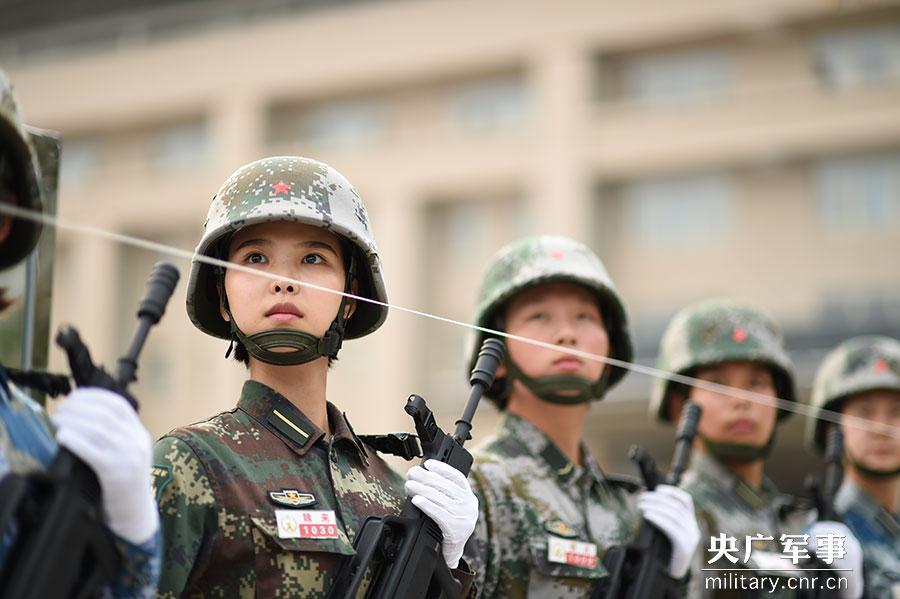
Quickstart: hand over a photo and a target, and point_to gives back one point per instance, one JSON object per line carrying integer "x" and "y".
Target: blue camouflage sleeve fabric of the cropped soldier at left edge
{"x": 27, "y": 445}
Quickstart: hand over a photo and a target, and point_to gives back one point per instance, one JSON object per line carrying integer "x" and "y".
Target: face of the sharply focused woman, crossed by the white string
{"x": 292, "y": 251}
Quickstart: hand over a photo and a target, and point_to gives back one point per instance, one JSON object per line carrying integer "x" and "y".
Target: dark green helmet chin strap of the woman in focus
{"x": 304, "y": 347}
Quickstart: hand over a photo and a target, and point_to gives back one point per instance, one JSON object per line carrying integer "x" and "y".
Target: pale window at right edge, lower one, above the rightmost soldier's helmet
{"x": 862, "y": 192}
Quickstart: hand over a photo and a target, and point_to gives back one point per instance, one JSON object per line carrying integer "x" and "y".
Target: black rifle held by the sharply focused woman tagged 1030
{"x": 401, "y": 555}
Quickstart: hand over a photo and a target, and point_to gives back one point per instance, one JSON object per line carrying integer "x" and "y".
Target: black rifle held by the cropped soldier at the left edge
{"x": 61, "y": 546}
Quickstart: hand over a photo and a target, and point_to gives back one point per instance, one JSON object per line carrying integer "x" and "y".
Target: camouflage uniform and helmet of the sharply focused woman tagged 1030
{"x": 255, "y": 501}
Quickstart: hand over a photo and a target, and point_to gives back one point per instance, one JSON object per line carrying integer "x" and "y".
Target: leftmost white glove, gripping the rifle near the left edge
{"x": 102, "y": 429}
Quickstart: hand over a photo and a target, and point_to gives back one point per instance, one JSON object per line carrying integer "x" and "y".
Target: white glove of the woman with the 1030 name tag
{"x": 443, "y": 494}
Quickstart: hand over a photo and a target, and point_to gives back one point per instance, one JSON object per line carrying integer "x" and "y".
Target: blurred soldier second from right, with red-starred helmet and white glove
{"x": 737, "y": 345}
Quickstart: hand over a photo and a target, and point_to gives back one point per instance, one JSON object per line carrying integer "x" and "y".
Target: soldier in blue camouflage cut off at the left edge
{"x": 97, "y": 425}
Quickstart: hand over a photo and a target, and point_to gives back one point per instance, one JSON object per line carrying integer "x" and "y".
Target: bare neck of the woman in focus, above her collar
{"x": 303, "y": 385}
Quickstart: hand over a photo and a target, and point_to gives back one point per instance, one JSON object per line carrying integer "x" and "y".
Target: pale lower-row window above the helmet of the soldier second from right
{"x": 683, "y": 211}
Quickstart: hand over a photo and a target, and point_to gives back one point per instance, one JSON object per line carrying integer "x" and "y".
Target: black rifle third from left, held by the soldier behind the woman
{"x": 639, "y": 570}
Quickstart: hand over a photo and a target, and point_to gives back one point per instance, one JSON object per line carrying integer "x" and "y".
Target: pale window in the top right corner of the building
{"x": 858, "y": 58}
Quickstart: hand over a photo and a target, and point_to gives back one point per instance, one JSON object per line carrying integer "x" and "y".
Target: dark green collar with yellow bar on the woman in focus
{"x": 290, "y": 424}
